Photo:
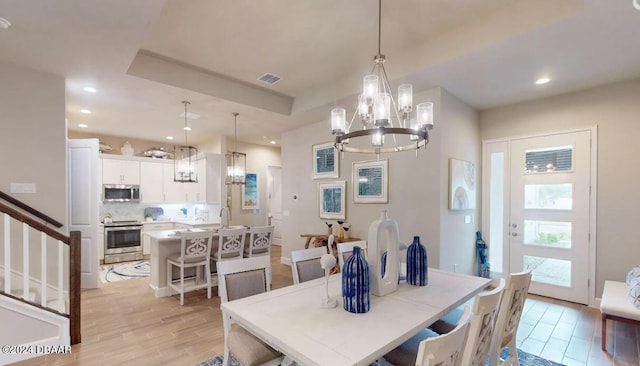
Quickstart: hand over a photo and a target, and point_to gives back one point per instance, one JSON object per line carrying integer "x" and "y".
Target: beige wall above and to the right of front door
{"x": 614, "y": 109}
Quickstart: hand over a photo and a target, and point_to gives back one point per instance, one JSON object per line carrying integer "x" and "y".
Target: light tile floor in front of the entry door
{"x": 570, "y": 334}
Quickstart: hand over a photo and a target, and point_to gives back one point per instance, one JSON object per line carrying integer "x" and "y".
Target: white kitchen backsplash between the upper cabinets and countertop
{"x": 135, "y": 211}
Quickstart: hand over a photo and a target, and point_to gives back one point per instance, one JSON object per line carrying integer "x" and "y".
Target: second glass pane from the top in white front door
{"x": 548, "y": 196}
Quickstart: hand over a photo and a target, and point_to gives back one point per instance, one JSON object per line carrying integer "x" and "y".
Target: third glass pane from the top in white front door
{"x": 555, "y": 234}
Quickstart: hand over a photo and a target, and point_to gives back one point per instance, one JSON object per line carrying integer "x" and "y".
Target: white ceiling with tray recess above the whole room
{"x": 145, "y": 56}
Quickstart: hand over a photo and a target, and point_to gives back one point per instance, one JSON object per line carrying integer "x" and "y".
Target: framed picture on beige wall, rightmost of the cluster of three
{"x": 371, "y": 181}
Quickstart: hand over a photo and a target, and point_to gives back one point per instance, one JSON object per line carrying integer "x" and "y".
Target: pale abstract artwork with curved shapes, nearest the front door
{"x": 462, "y": 185}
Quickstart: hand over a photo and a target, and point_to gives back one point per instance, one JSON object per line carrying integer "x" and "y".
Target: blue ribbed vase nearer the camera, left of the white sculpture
{"x": 356, "y": 294}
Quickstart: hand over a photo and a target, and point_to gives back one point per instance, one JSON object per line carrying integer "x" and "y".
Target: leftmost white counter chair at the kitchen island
{"x": 195, "y": 249}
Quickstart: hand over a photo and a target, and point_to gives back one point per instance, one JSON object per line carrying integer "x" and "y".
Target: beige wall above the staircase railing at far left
{"x": 33, "y": 138}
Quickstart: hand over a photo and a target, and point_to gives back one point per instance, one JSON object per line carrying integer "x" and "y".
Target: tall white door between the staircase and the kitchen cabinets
{"x": 82, "y": 166}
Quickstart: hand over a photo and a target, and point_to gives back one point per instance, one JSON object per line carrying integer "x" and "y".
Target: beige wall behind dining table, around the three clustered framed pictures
{"x": 418, "y": 186}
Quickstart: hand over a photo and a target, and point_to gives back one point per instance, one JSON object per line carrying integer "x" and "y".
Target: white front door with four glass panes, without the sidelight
{"x": 549, "y": 223}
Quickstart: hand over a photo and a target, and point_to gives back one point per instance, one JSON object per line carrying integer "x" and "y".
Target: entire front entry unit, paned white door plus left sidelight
{"x": 539, "y": 211}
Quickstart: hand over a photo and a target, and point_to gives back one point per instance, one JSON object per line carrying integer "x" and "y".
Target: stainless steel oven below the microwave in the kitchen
{"x": 122, "y": 241}
